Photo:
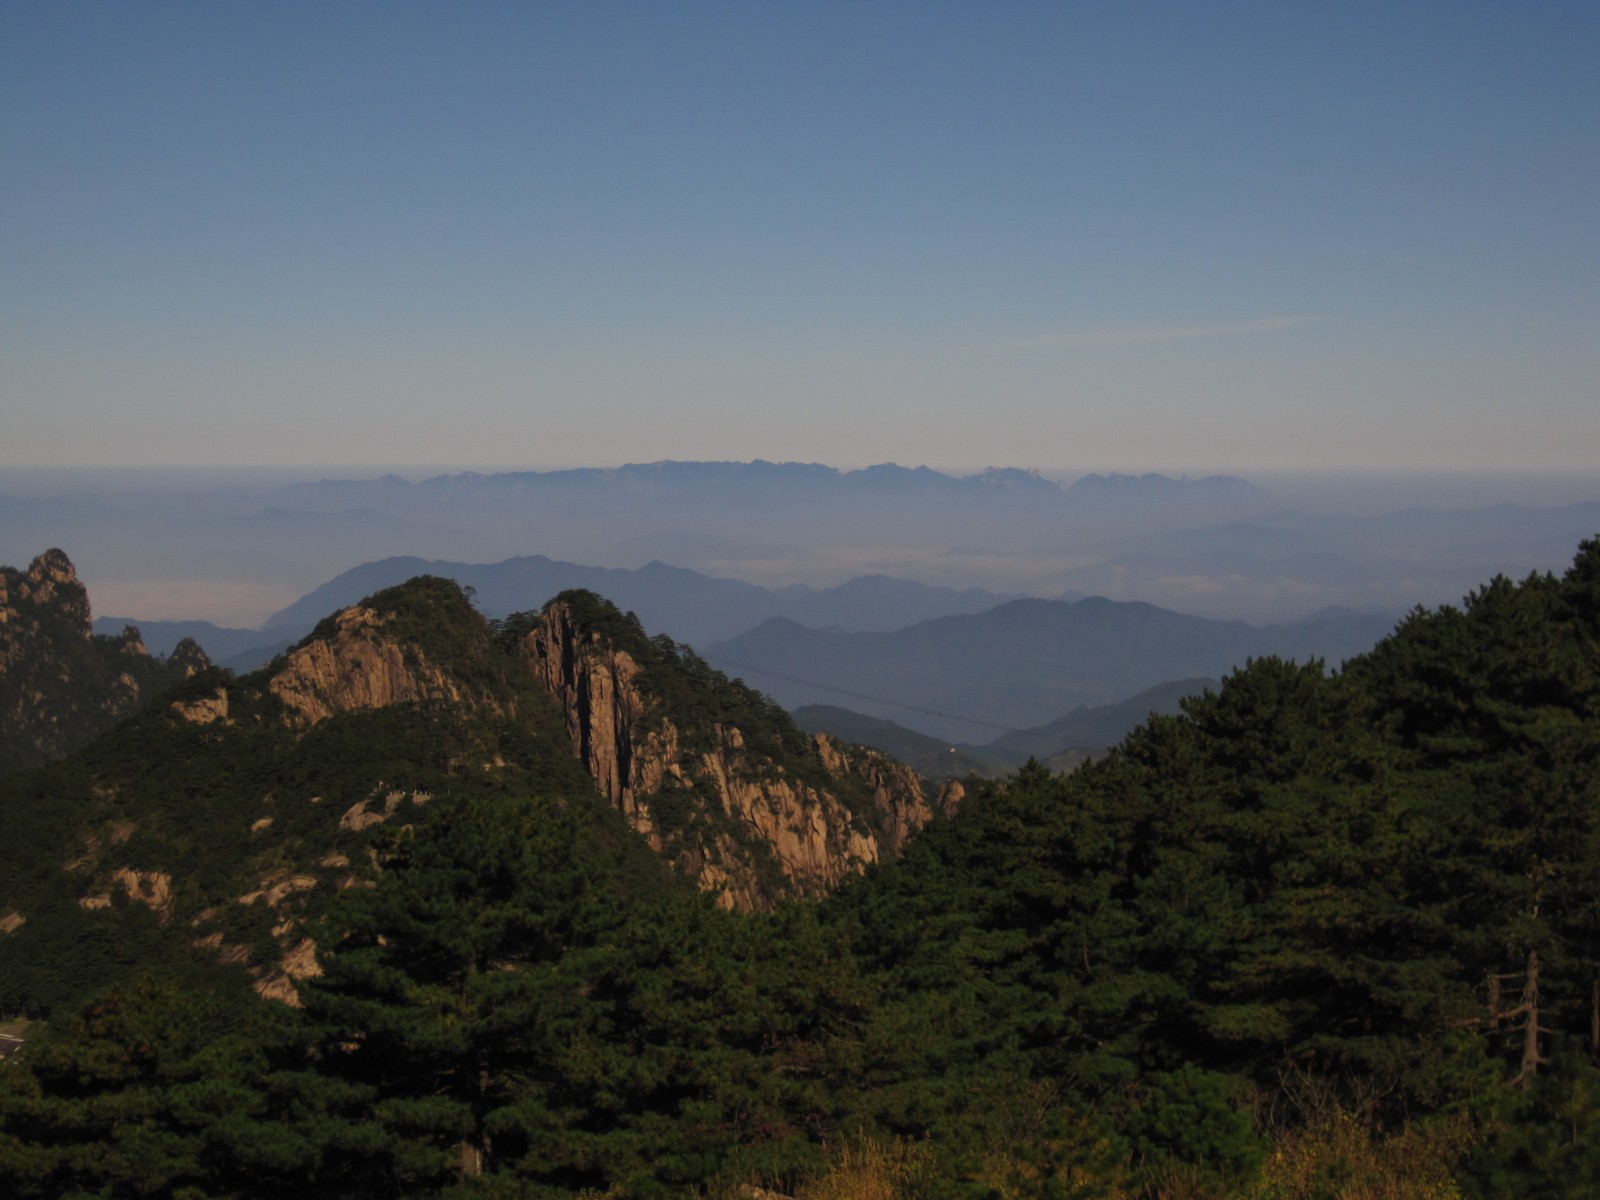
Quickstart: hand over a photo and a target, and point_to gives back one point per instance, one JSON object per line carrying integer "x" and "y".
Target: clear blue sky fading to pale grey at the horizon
{"x": 1095, "y": 236}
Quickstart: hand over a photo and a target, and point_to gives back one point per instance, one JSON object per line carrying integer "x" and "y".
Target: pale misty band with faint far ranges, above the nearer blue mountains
{"x": 1215, "y": 546}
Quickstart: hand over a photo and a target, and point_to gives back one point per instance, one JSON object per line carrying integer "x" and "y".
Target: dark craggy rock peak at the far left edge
{"x": 60, "y": 684}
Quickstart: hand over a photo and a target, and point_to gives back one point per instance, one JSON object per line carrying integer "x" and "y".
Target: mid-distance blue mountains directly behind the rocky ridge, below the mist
{"x": 959, "y": 665}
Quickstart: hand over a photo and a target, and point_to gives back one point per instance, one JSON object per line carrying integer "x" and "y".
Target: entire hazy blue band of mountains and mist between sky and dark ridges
{"x": 894, "y": 593}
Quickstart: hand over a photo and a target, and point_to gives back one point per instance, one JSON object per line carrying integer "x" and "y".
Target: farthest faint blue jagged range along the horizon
{"x": 766, "y": 510}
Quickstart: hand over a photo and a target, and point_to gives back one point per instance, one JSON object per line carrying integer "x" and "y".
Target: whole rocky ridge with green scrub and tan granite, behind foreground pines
{"x": 236, "y": 809}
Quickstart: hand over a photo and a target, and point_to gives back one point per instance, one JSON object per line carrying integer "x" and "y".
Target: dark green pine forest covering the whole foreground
{"x": 1319, "y": 937}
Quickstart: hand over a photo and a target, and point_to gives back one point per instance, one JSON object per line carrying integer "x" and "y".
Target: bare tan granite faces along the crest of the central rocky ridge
{"x": 756, "y": 814}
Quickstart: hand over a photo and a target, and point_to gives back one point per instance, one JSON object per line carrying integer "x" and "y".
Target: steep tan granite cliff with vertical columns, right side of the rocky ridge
{"x": 756, "y": 820}
